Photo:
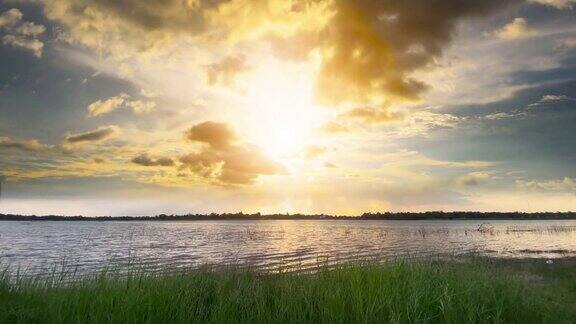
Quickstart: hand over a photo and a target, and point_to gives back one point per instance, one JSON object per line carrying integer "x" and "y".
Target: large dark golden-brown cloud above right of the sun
{"x": 370, "y": 49}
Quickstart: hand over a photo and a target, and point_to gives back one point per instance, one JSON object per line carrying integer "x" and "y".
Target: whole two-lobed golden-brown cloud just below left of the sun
{"x": 221, "y": 161}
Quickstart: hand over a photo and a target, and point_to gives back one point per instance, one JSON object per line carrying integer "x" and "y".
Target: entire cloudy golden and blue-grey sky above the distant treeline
{"x": 287, "y": 106}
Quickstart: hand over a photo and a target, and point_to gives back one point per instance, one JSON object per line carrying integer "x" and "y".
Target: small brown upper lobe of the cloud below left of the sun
{"x": 218, "y": 135}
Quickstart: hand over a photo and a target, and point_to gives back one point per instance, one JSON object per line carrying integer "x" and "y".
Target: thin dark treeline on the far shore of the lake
{"x": 258, "y": 216}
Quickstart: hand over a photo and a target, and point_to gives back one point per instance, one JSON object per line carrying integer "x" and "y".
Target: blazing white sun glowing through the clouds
{"x": 286, "y": 118}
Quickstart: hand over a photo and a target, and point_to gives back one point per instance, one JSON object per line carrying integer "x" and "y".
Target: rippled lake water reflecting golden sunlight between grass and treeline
{"x": 270, "y": 245}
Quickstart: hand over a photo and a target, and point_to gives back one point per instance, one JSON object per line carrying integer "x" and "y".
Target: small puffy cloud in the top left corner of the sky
{"x": 21, "y": 34}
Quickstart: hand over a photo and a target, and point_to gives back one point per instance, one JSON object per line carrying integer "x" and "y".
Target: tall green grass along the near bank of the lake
{"x": 469, "y": 291}
